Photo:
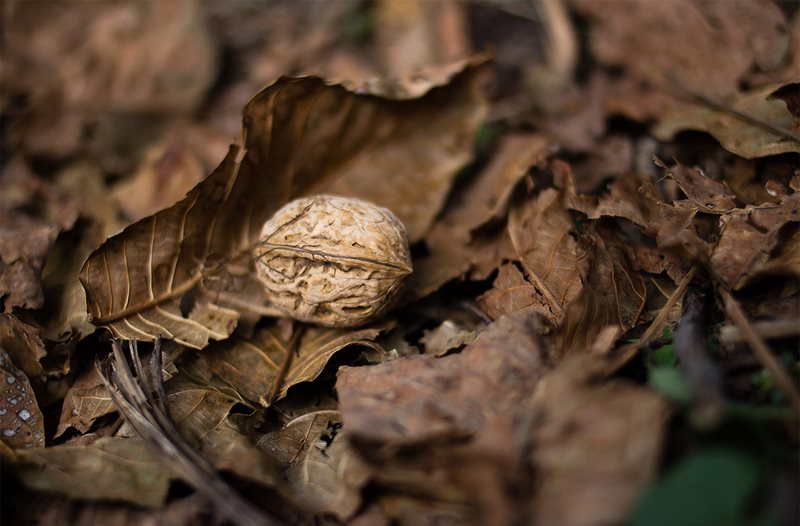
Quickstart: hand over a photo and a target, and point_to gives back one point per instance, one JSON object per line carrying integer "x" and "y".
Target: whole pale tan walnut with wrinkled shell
{"x": 332, "y": 261}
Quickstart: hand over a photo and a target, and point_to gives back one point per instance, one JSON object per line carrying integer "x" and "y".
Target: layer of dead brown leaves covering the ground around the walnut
{"x": 558, "y": 208}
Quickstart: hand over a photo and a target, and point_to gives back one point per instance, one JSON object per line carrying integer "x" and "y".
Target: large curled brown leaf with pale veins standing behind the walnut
{"x": 182, "y": 273}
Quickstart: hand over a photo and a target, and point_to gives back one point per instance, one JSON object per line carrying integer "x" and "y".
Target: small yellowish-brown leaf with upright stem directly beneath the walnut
{"x": 248, "y": 368}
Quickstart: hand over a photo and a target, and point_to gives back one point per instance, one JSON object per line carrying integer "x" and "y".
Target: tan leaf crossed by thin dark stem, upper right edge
{"x": 735, "y": 134}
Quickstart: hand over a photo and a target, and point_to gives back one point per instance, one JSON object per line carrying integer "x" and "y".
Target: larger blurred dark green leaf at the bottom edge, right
{"x": 711, "y": 487}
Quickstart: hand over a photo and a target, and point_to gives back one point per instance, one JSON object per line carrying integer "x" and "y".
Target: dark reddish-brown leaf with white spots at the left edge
{"x": 21, "y": 421}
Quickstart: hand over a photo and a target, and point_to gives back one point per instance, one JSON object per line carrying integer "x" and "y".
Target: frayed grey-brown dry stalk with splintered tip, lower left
{"x": 143, "y": 412}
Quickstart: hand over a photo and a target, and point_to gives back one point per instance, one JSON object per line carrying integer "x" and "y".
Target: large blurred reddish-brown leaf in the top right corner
{"x": 720, "y": 41}
